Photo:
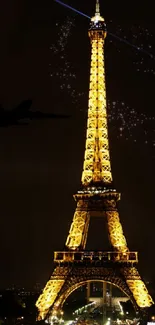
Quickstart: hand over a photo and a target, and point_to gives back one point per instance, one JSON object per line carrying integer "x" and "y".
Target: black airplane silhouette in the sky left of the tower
{"x": 22, "y": 112}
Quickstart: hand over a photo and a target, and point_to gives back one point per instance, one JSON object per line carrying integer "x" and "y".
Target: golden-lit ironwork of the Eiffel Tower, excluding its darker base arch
{"x": 96, "y": 182}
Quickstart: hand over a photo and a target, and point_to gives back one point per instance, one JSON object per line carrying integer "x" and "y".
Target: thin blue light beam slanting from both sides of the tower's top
{"x": 113, "y": 35}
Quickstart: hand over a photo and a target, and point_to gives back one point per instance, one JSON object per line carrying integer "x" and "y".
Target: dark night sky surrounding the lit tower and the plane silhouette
{"x": 41, "y": 163}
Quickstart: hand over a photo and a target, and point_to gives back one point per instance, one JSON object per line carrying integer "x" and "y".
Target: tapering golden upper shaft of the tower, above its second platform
{"x": 97, "y": 167}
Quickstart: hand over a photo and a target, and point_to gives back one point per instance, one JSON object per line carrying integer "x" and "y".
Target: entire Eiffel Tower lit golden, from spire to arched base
{"x": 97, "y": 197}
